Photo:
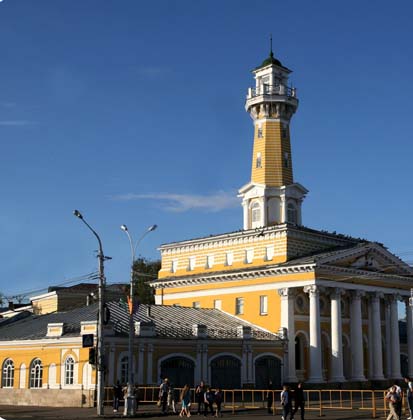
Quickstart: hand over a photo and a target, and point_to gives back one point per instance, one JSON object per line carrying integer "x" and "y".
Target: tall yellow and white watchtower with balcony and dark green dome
{"x": 271, "y": 197}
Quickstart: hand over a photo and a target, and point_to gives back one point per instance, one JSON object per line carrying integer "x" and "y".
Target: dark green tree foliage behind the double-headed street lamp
{"x": 144, "y": 271}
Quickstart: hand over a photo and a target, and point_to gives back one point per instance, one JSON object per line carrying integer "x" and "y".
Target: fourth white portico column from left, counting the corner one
{"x": 356, "y": 332}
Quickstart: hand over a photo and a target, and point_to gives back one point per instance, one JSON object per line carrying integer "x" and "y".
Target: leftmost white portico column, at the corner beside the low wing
{"x": 288, "y": 322}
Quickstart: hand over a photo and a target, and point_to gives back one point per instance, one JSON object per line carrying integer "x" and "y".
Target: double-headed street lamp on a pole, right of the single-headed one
{"x": 130, "y": 403}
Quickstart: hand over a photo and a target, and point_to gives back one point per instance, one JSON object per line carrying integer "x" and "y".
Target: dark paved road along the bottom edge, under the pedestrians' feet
{"x": 43, "y": 413}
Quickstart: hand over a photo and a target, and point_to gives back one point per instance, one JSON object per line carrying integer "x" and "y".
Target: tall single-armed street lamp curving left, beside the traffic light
{"x": 100, "y": 356}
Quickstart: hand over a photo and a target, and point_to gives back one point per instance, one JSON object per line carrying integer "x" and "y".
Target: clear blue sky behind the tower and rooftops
{"x": 133, "y": 112}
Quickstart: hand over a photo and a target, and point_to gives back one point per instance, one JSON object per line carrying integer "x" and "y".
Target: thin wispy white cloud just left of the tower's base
{"x": 184, "y": 202}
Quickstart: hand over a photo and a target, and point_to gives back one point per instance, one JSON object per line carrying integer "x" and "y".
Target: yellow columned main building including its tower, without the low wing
{"x": 326, "y": 292}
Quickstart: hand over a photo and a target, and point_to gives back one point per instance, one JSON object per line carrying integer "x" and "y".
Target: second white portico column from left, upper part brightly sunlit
{"x": 315, "y": 375}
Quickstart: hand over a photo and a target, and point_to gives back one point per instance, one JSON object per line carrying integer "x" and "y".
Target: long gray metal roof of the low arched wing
{"x": 168, "y": 322}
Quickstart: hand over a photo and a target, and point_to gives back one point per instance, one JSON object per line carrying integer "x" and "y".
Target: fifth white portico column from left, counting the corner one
{"x": 377, "y": 371}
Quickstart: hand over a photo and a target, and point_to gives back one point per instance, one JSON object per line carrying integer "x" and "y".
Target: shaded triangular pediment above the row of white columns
{"x": 368, "y": 257}
